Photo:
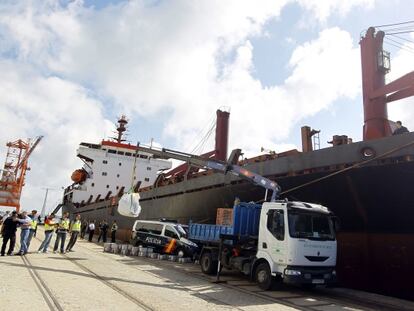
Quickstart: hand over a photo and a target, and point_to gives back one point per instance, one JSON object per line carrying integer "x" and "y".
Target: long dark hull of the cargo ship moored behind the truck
{"x": 372, "y": 201}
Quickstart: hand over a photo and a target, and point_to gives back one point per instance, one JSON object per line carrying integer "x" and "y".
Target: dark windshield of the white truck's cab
{"x": 310, "y": 226}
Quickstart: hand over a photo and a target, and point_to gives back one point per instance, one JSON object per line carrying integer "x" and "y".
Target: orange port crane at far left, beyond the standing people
{"x": 14, "y": 171}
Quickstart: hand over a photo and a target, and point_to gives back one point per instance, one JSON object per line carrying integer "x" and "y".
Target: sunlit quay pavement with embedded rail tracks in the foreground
{"x": 89, "y": 279}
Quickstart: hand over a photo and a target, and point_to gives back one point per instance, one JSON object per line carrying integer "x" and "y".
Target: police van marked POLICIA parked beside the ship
{"x": 164, "y": 237}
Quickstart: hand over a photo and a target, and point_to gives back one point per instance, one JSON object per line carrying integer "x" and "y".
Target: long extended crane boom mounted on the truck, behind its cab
{"x": 217, "y": 165}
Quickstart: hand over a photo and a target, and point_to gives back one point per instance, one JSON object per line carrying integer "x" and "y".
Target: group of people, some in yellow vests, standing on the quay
{"x": 28, "y": 225}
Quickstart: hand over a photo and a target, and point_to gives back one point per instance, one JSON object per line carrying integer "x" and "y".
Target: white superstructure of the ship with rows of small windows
{"x": 108, "y": 170}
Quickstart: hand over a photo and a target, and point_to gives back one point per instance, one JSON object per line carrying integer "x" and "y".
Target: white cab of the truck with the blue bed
{"x": 296, "y": 244}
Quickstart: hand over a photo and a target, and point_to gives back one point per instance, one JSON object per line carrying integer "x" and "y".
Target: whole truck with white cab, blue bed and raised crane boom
{"x": 277, "y": 241}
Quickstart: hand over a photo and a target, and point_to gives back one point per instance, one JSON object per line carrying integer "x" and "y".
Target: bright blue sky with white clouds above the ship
{"x": 68, "y": 69}
